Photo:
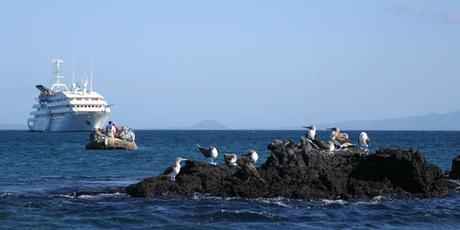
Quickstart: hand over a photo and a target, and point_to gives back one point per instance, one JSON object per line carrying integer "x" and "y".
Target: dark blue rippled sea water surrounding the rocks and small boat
{"x": 49, "y": 180}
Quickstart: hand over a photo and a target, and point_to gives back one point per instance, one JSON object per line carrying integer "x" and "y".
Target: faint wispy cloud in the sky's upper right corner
{"x": 416, "y": 10}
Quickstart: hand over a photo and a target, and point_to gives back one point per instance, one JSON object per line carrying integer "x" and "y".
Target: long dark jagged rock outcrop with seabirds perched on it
{"x": 302, "y": 172}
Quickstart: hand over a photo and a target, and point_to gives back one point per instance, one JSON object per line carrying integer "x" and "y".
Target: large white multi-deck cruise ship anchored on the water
{"x": 60, "y": 109}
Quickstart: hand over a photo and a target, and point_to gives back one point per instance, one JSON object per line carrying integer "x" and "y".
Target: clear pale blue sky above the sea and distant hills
{"x": 247, "y": 64}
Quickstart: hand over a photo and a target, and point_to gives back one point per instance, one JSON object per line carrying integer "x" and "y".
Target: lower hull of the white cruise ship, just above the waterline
{"x": 71, "y": 122}
